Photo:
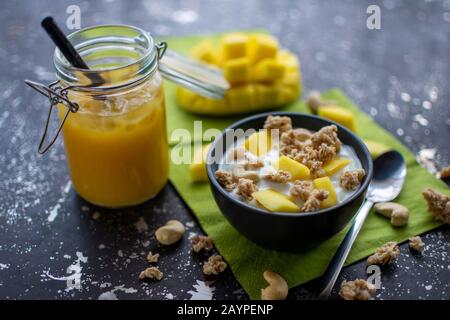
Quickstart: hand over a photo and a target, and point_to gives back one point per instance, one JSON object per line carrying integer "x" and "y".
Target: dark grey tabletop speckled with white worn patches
{"x": 399, "y": 74}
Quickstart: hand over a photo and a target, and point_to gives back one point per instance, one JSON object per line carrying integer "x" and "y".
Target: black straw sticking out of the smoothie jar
{"x": 67, "y": 49}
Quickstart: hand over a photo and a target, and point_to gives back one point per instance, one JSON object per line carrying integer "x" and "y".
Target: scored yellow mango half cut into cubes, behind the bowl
{"x": 260, "y": 76}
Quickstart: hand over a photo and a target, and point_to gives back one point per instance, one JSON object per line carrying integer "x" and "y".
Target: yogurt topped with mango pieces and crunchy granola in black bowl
{"x": 282, "y": 168}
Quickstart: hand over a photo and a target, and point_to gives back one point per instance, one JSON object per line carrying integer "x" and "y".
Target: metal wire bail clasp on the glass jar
{"x": 58, "y": 94}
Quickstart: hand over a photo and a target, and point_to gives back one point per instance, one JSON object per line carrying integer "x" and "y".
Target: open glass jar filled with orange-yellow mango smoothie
{"x": 116, "y": 142}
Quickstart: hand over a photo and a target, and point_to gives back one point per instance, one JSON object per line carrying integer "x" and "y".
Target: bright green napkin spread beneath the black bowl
{"x": 247, "y": 260}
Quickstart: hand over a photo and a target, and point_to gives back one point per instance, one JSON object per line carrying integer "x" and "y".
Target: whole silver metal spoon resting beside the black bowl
{"x": 388, "y": 177}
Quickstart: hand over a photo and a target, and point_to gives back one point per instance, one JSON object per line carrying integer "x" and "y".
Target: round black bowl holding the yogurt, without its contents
{"x": 289, "y": 231}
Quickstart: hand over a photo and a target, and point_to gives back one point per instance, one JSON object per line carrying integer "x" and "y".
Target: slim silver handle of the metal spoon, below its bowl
{"x": 336, "y": 264}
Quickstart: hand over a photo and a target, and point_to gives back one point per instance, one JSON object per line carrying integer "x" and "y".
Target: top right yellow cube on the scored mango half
{"x": 261, "y": 46}
